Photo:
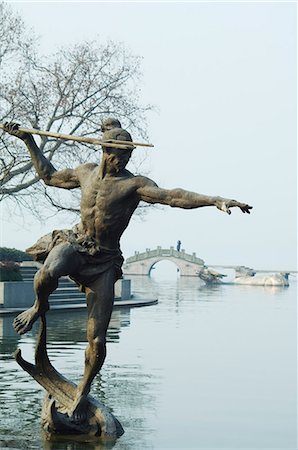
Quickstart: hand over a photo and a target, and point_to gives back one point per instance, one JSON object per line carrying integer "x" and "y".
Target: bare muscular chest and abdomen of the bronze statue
{"x": 107, "y": 204}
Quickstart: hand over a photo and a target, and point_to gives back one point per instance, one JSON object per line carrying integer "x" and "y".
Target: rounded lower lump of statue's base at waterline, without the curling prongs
{"x": 99, "y": 422}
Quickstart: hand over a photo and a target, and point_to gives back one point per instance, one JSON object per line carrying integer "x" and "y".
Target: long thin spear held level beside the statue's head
{"x": 114, "y": 143}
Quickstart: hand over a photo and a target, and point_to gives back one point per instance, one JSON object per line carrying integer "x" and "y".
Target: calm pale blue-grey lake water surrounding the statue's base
{"x": 205, "y": 368}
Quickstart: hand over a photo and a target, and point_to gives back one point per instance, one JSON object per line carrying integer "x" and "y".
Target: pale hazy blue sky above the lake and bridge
{"x": 223, "y": 77}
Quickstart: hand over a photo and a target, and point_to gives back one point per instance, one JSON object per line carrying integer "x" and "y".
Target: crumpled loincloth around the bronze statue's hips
{"x": 95, "y": 260}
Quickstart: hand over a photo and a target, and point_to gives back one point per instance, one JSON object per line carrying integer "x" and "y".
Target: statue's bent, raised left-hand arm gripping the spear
{"x": 66, "y": 179}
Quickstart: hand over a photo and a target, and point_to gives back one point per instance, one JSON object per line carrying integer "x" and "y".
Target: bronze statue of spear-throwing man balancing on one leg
{"x": 90, "y": 253}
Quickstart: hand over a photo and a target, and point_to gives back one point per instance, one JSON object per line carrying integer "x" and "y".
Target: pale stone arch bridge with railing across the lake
{"x": 142, "y": 263}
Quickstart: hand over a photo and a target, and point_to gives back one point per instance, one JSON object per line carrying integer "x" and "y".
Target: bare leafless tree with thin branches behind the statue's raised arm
{"x": 70, "y": 91}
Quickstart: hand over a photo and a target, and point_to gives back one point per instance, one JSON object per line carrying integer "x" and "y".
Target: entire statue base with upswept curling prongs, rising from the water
{"x": 60, "y": 395}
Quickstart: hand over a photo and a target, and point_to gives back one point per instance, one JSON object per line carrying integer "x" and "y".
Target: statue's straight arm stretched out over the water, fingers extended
{"x": 180, "y": 198}
